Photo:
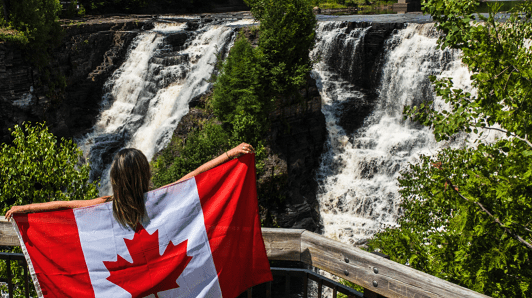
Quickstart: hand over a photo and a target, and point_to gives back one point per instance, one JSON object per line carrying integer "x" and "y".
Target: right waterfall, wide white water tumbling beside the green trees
{"x": 358, "y": 190}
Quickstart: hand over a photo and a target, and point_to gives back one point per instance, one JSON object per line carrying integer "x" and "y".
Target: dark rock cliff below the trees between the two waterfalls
{"x": 297, "y": 139}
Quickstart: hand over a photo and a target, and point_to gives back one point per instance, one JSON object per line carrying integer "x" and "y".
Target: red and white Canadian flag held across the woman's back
{"x": 200, "y": 238}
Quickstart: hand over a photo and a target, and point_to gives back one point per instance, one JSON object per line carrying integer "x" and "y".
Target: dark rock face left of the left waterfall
{"x": 89, "y": 53}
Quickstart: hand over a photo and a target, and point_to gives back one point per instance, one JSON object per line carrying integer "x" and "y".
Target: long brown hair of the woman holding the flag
{"x": 130, "y": 179}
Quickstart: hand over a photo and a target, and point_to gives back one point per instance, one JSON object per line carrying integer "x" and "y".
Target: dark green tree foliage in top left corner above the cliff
{"x": 35, "y": 22}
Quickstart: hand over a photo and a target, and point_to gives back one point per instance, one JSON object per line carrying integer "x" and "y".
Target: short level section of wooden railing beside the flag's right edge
{"x": 283, "y": 244}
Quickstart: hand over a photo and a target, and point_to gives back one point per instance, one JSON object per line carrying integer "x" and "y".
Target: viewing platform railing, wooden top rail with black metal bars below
{"x": 378, "y": 276}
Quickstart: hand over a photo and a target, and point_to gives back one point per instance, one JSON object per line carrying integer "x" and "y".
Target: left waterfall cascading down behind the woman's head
{"x": 149, "y": 94}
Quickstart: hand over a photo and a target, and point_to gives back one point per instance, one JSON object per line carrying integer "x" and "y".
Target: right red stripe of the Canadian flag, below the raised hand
{"x": 228, "y": 198}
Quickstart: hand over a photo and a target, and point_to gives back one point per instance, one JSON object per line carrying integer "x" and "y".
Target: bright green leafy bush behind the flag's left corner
{"x": 36, "y": 168}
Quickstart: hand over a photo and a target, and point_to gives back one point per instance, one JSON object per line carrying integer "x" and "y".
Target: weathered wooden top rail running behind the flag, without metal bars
{"x": 376, "y": 274}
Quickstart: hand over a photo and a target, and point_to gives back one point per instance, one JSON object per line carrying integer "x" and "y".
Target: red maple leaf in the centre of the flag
{"x": 150, "y": 272}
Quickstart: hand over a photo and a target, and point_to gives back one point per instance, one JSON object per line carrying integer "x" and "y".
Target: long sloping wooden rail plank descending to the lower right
{"x": 381, "y": 276}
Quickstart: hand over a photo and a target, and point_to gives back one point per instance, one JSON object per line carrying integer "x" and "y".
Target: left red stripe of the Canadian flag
{"x": 53, "y": 244}
